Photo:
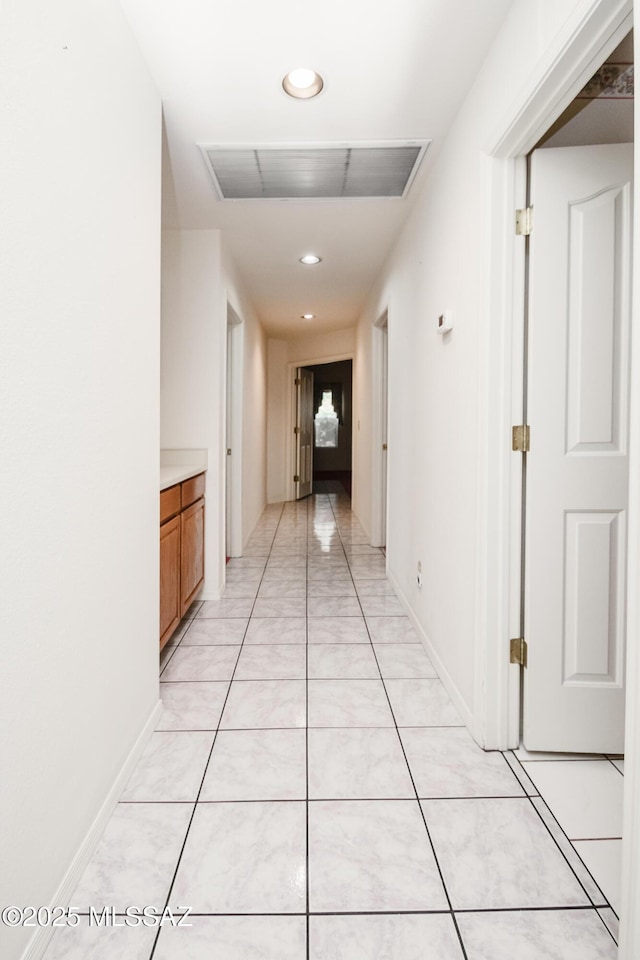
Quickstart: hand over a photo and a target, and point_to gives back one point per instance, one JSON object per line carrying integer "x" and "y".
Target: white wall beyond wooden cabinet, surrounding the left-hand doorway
{"x": 198, "y": 281}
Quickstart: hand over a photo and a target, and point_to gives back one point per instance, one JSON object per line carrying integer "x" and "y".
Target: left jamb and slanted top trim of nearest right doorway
{"x": 500, "y": 398}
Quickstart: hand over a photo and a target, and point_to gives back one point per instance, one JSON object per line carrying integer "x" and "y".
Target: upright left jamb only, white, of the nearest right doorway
{"x": 497, "y": 615}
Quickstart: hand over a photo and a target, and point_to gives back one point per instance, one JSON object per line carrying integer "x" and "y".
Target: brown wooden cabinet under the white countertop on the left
{"x": 181, "y": 550}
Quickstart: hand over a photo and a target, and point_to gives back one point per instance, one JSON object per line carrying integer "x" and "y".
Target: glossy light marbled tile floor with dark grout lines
{"x": 311, "y": 794}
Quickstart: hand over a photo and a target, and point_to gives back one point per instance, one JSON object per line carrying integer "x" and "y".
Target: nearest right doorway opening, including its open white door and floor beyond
{"x": 569, "y": 382}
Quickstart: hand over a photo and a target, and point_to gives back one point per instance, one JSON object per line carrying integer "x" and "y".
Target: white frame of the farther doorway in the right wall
{"x": 379, "y": 435}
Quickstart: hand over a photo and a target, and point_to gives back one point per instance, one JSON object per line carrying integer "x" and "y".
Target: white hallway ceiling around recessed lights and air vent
{"x": 393, "y": 70}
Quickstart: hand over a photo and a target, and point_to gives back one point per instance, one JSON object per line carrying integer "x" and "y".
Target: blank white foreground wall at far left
{"x": 79, "y": 436}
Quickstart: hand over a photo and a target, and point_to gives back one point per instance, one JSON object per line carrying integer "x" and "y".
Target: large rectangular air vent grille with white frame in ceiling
{"x": 314, "y": 172}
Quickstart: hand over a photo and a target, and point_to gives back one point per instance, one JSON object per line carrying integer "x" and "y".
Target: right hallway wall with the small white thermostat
{"x": 434, "y": 386}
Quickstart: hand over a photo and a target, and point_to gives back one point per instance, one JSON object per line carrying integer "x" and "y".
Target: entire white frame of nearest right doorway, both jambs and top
{"x": 593, "y": 31}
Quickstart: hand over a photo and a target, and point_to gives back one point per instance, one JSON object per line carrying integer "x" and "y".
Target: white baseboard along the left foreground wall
{"x": 38, "y": 944}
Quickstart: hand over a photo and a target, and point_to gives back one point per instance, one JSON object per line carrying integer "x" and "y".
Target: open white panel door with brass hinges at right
{"x": 577, "y": 470}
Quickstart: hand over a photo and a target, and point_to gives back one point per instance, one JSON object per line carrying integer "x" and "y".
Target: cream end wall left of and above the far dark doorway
{"x": 310, "y": 348}
